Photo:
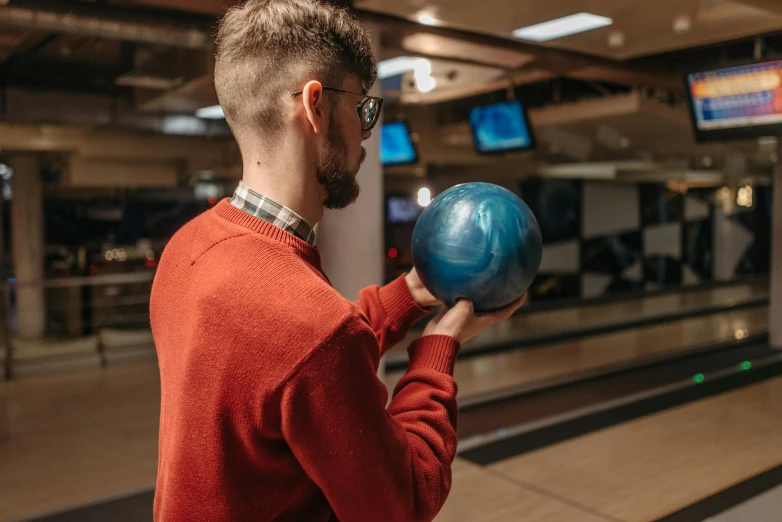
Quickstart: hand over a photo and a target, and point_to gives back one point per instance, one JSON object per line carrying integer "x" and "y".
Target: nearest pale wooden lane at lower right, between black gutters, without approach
{"x": 648, "y": 468}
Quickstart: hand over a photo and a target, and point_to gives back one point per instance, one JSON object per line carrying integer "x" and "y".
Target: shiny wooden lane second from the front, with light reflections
{"x": 487, "y": 376}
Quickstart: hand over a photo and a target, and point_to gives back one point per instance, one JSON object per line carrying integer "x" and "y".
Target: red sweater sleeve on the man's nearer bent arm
{"x": 374, "y": 463}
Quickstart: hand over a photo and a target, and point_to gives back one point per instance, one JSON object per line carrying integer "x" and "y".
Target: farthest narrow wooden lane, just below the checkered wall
{"x": 531, "y": 326}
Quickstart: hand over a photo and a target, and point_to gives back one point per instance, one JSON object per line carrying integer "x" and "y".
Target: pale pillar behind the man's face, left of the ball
{"x": 351, "y": 240}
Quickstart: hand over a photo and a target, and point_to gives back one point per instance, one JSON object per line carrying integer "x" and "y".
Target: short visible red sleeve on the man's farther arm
{"x": 391, "y": 311}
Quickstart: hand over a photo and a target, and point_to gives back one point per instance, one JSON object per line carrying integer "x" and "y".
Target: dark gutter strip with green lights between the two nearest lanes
{"x": 492, "y": 431}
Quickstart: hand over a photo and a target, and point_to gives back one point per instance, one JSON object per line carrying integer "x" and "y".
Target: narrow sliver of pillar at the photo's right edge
{"x": 775, "y": 310}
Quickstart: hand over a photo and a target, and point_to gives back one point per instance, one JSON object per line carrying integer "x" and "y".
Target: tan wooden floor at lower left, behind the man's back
{"x": 71, "y": 439}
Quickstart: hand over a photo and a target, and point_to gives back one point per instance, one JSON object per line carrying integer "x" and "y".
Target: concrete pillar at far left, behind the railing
{"x": 27, "y": 245}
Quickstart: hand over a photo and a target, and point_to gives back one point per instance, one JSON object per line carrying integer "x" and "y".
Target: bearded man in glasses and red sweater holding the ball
{"x": 271, "y": 407}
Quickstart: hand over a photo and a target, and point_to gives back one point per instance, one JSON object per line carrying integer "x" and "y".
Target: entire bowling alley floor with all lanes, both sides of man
{"x": 83, "y": 446}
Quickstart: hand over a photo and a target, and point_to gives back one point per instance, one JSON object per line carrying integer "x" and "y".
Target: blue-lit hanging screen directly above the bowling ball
{"x": 501, "y": 127}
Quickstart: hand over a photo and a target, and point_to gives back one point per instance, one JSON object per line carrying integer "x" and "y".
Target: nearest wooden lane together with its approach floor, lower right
{"x": 649, "y": 469}
